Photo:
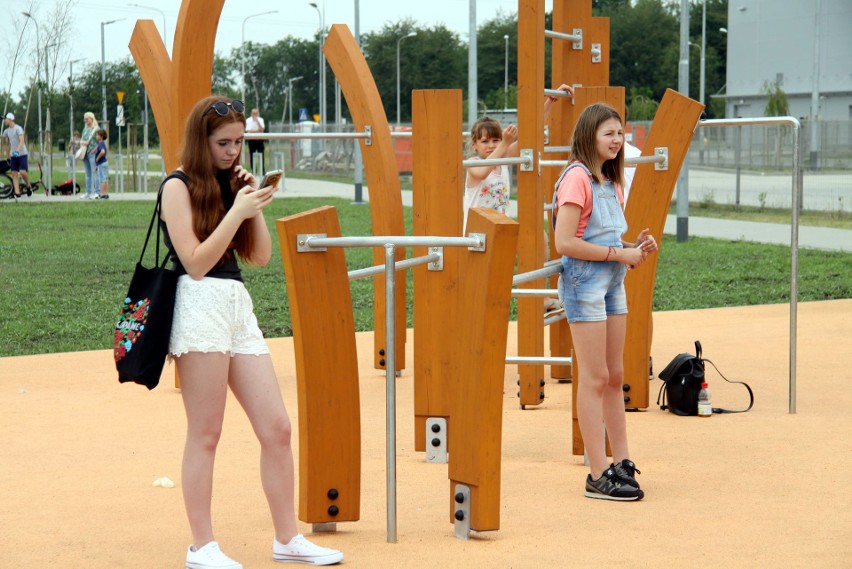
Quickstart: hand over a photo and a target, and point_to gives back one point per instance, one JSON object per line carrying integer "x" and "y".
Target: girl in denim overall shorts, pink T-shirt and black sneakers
{"x": 588, "y": 225}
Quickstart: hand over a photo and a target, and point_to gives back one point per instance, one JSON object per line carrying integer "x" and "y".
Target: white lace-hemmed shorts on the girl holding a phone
{"x": 214, "y": 315}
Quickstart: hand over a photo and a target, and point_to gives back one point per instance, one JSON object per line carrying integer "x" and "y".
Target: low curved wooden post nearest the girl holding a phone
{"x": 326, "y": 371}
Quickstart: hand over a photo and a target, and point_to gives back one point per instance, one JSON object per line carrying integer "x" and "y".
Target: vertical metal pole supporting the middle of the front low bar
{"x": 390, "y": 379}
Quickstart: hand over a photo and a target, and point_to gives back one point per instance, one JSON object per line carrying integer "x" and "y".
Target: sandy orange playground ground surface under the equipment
{"x": 762, "y": 489}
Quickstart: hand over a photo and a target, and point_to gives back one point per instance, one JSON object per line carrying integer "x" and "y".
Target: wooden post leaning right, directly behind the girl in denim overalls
{"x": 650, "y": 196}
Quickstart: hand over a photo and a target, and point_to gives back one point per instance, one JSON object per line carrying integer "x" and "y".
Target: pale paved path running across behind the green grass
{"x": 774, "y": 233}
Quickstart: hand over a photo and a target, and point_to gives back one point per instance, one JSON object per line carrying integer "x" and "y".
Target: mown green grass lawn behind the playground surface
{"x": 66, "y": 266}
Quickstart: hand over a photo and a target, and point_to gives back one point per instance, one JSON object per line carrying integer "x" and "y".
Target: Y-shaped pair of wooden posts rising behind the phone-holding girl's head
{"x": 175, "y": 86}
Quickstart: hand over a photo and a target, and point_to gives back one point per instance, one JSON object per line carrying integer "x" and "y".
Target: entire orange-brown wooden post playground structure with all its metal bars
{"x": 459, "y": 360}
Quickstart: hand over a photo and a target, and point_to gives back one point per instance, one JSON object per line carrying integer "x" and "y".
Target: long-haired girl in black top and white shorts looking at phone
{"x": 211, "y": 215}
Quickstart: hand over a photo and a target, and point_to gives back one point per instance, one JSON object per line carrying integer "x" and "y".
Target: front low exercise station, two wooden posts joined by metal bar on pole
{"x": 328, "y": 382}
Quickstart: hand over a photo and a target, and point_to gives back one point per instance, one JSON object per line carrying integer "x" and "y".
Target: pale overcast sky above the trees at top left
{"x": 294, "y": 18}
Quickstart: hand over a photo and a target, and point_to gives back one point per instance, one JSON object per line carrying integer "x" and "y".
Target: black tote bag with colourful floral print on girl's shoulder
{"x": 144, "y": 324}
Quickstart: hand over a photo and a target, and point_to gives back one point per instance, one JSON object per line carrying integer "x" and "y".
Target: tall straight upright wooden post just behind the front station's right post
{"x": 437, "y": 194}
